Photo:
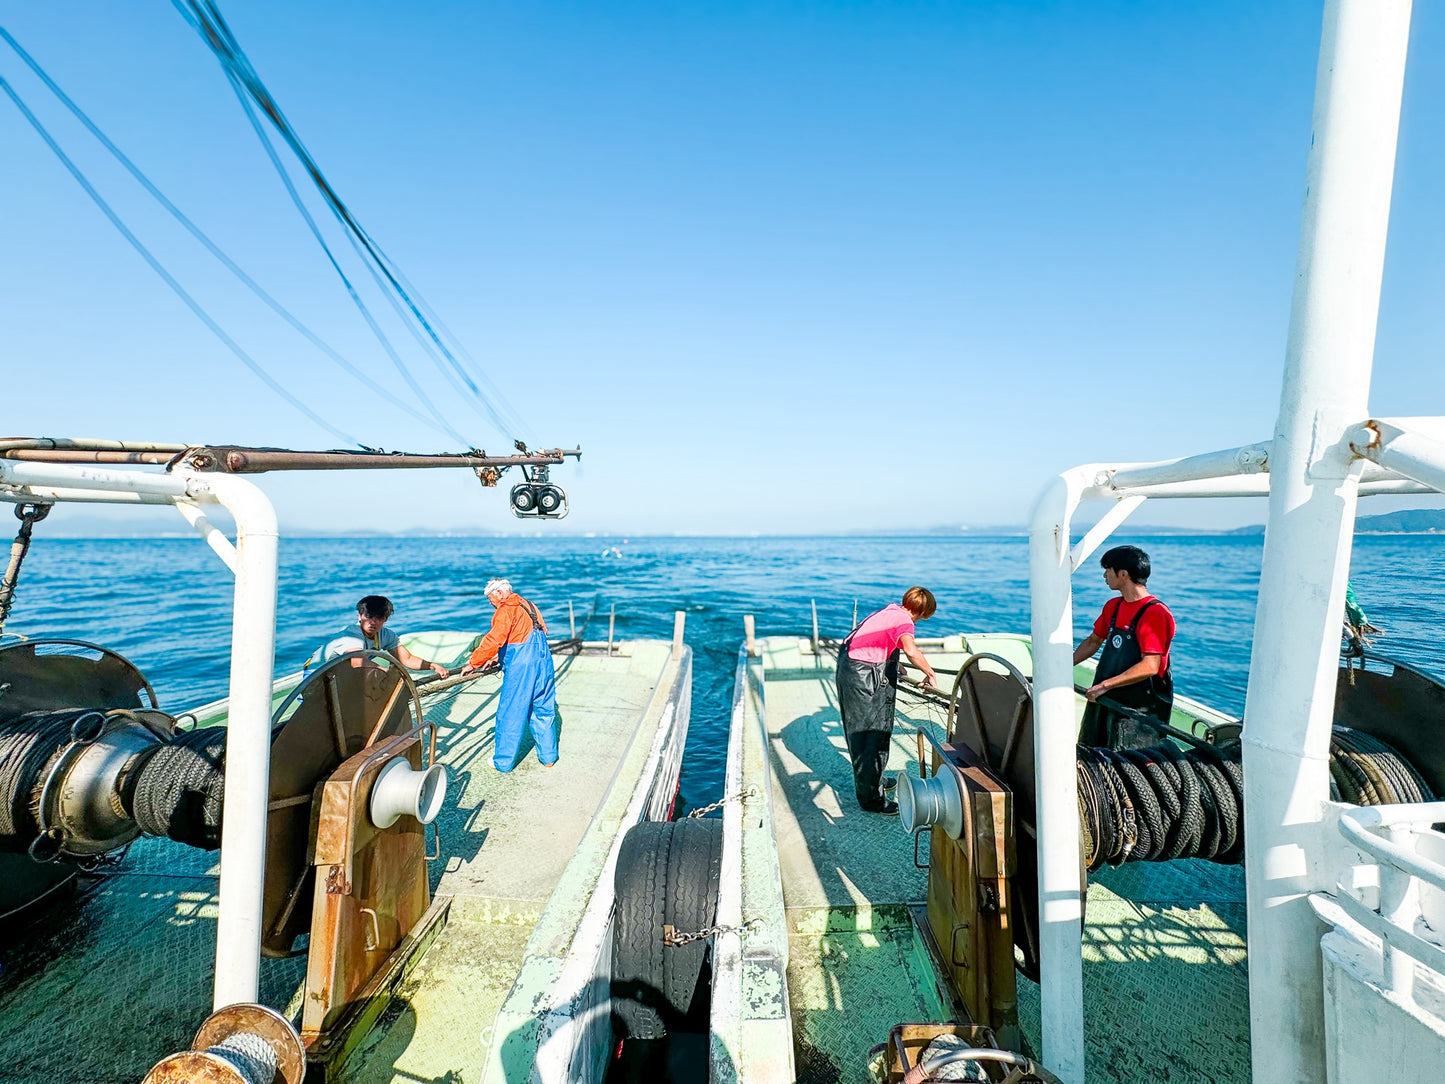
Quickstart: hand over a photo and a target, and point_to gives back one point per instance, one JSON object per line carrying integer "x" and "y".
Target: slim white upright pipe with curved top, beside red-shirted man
{"x": 1056, "y": 734}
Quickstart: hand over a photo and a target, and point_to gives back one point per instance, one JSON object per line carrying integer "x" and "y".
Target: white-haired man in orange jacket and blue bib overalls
{"x": 518, "y": 640}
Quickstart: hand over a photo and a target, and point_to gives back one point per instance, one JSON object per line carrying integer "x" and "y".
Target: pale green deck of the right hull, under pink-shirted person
{"x": 1164, "y": 945}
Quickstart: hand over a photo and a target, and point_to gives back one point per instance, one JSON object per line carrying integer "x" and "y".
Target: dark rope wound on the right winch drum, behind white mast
{"x": 1168, "y": 803}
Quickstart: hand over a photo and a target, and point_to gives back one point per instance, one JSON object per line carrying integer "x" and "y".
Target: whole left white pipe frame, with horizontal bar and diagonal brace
{"x": 254, "y": 655}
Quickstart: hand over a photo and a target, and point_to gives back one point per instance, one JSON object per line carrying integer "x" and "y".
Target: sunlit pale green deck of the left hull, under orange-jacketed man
{"x": 99, "y": 988}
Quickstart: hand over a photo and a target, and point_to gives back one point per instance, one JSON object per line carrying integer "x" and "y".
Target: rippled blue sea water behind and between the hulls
{"x": 167, "y": 603}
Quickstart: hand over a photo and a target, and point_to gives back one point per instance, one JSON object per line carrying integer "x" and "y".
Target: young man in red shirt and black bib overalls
{"x": 1135, "y": 631}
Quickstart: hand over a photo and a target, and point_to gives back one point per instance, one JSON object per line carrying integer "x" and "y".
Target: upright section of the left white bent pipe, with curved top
{"x": 248, "y": 739}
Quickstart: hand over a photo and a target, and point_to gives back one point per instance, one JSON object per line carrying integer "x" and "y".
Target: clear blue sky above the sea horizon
{"x": 777, "y": 268}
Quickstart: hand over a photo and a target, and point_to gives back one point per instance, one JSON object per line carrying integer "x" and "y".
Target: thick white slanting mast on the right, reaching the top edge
{"x": 1311, "y": 520}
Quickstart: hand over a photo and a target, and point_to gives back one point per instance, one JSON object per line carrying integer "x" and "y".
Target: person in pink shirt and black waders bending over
{"x": 868, "y": 686}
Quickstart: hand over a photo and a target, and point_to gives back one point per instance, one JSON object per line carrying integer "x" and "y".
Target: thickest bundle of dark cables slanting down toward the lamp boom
{"x": 206, "y": 18}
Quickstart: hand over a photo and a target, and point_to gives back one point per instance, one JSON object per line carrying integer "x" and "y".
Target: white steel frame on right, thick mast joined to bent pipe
{"x": 1316, "y": 479}
